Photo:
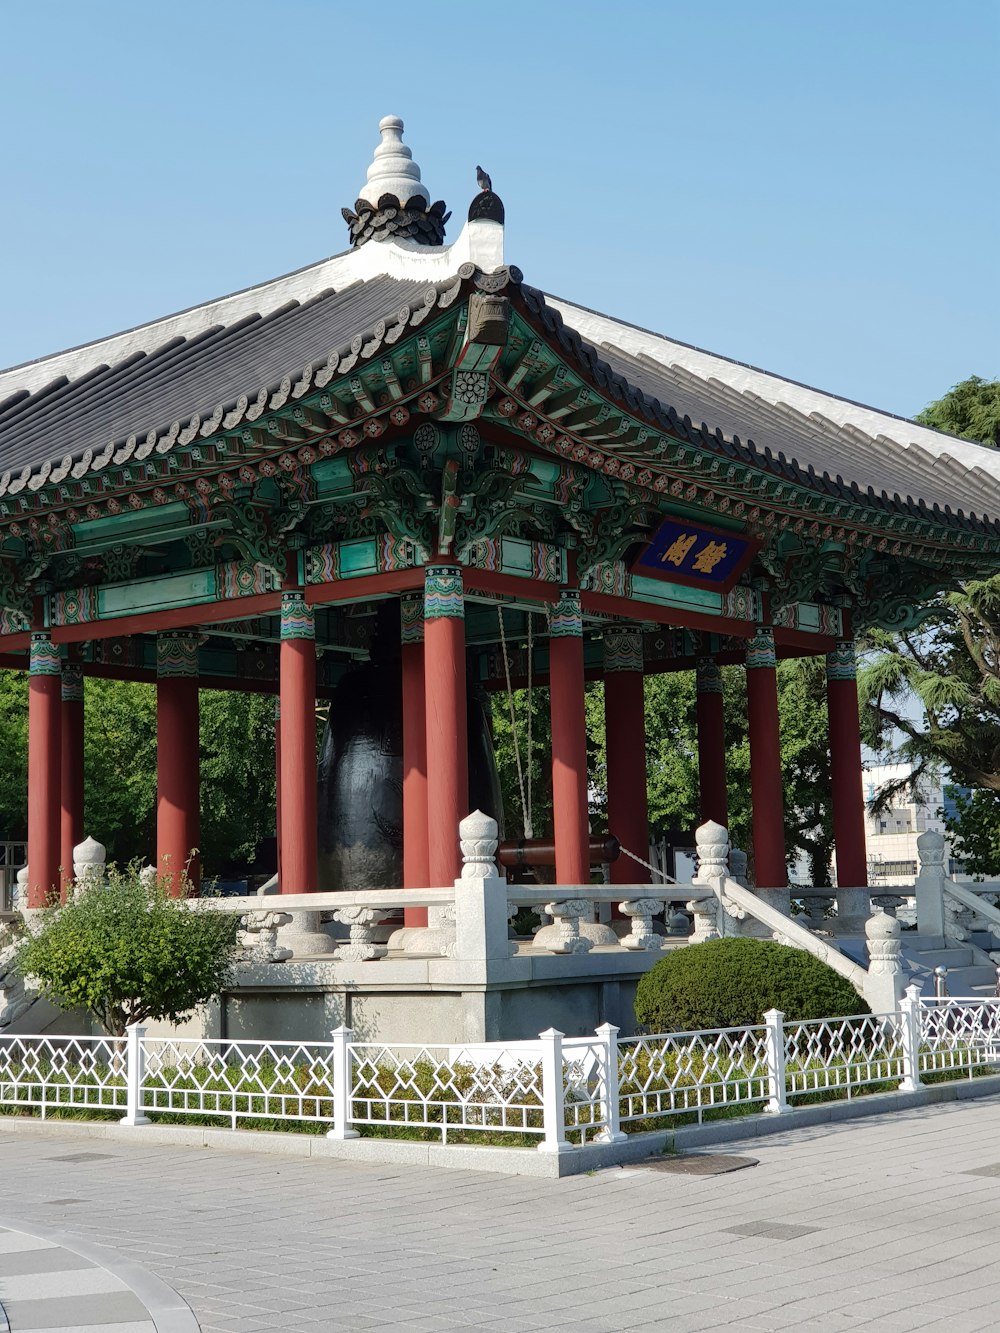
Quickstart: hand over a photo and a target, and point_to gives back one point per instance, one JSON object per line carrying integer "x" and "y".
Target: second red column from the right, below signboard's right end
{"x": 766, "y": 763}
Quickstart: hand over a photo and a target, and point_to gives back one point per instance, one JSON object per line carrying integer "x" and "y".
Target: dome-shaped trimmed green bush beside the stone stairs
{"x": 733, "y": 983}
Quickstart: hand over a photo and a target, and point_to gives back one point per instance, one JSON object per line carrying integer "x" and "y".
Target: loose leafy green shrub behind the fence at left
{"x": 127, "y": 954}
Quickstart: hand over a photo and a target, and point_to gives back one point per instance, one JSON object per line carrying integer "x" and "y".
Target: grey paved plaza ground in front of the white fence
{"x": 891, "y": 1223}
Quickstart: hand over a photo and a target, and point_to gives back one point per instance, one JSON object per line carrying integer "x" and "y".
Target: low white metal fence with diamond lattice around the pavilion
{"x": 554, "y": 1092}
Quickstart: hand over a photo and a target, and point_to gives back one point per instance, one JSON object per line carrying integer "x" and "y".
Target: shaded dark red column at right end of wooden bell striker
{"x": 625, "y": 739}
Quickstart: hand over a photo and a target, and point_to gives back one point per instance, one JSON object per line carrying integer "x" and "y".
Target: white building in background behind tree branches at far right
{"x": 891, "y": 836}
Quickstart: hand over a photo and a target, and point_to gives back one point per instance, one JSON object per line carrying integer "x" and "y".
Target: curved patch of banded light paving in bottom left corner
{"x": 53, "y": 1284}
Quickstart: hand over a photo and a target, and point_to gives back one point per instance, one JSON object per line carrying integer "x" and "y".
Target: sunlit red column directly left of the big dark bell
{"x": 298, "y": 775}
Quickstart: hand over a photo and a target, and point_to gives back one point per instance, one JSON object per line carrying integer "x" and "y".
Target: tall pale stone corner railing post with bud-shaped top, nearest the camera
{"x": 482, "y": 910}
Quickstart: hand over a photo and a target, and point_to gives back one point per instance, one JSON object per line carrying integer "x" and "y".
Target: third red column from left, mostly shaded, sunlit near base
{"x": 178, "y": 762}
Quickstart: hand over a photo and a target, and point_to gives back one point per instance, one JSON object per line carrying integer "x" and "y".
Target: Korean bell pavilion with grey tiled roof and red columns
{"x": 411, "y": 451}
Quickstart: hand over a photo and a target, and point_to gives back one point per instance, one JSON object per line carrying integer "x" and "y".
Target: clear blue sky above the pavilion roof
{"x": 810, "y": 187}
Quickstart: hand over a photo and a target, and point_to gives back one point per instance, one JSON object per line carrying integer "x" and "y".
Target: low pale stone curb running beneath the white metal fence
{"x": 510, "y": 1162}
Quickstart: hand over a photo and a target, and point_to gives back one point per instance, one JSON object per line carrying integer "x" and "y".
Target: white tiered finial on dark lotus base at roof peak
{"x": 394, "y": 205}
